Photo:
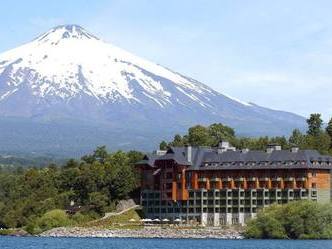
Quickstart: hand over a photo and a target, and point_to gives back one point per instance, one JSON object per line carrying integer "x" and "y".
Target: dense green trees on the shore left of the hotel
{"x": 34, "y": 197}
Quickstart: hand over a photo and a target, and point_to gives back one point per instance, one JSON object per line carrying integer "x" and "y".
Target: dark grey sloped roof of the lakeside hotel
{"x": 207, "y": 158}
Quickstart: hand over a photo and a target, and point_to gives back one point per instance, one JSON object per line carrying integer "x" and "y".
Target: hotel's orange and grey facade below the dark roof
{"x": 223, "y": 197}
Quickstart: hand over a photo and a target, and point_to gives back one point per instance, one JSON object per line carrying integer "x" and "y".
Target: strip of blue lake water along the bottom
{"x": 82, "y": 243}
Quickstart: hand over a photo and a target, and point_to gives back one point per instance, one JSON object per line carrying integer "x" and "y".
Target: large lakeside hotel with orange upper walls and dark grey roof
{"x": 220, "y": 186}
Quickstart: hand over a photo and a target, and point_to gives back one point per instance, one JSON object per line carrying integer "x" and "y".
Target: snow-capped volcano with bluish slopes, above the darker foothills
{"x": 70, "y": 74}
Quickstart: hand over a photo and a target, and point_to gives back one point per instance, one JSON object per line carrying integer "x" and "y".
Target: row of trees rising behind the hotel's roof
{"x": 316, "y": 137}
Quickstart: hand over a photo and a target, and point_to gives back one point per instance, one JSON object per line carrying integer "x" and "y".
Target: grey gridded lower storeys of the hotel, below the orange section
{"x": 219, "y": 207}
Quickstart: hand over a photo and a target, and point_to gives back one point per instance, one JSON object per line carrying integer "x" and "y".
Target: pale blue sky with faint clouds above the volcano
{"x": 276, "y": 54}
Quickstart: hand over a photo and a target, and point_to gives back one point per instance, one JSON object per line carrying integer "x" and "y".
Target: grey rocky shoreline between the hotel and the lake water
{"x": 145, "y": 232}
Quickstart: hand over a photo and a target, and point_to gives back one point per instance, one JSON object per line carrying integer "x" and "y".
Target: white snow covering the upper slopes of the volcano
{"x": 58, "y": 61}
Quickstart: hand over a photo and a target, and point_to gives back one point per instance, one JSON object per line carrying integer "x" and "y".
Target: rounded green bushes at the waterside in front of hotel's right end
{"x": 296, "y": 220}
